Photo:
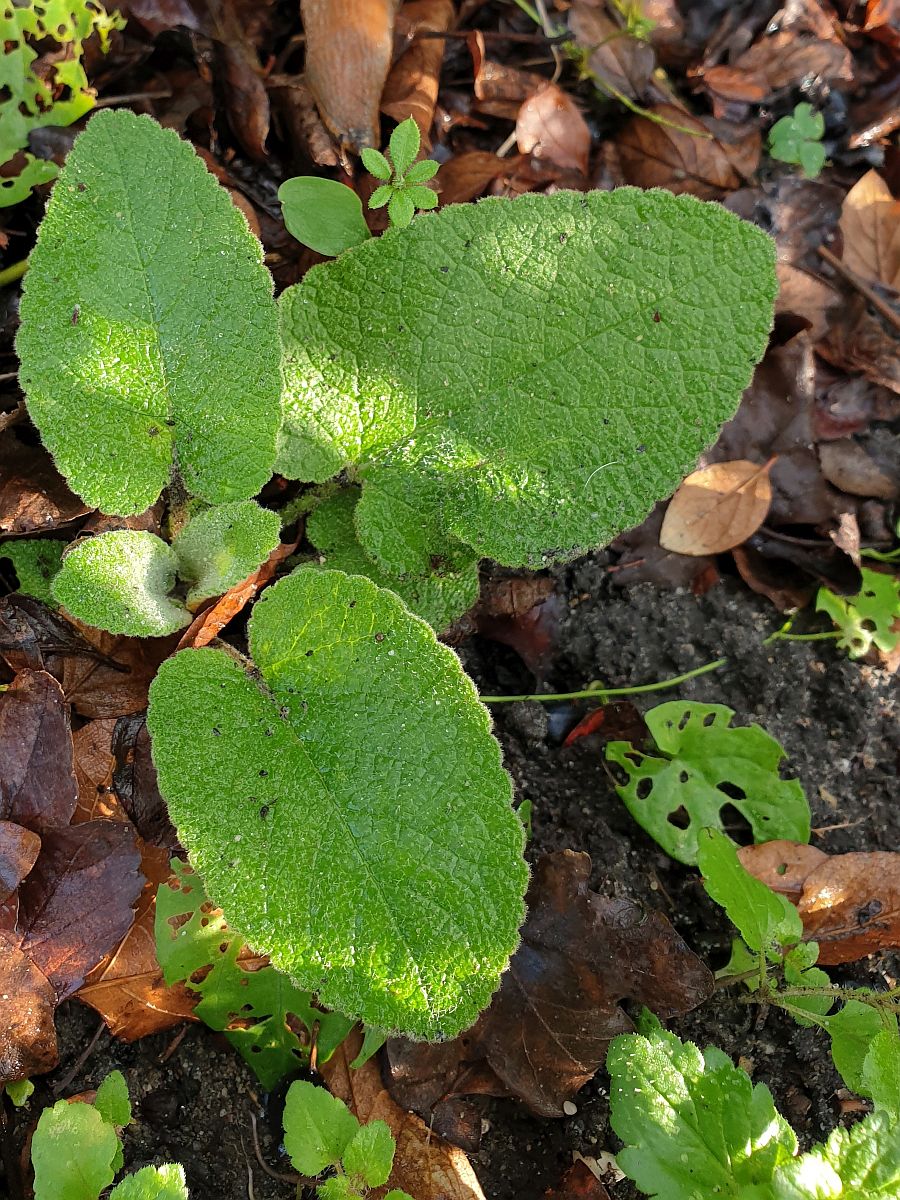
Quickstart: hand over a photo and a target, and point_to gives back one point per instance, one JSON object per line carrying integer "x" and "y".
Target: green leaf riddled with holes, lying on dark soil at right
{"x": 703, "y": 765}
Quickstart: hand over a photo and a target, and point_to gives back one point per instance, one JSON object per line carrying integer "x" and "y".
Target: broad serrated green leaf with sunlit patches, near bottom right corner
{"x": 693, "y": 1124}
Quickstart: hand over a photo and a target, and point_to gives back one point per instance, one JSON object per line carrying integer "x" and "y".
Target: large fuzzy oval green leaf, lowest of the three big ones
{"x": 347, "y": 807}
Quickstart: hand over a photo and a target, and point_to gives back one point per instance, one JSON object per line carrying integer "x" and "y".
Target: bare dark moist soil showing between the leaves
{"x": 836, "y": 718}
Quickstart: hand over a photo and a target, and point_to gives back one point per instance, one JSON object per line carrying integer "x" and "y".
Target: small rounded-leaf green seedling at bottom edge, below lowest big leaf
{"x": 322, "y": 1135}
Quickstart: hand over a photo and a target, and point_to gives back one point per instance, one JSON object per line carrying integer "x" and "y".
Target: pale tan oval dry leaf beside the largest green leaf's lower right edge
{"x": 717, "y": 508}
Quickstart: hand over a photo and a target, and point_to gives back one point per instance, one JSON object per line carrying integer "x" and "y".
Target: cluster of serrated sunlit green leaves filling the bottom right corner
{"x": 695, "y": 1126}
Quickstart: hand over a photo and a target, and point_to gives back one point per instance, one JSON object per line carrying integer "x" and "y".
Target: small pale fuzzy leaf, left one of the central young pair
{"x": 121, "y": 583}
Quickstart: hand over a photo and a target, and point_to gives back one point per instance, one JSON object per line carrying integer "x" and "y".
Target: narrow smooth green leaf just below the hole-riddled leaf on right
{"x": 766, "y": 921}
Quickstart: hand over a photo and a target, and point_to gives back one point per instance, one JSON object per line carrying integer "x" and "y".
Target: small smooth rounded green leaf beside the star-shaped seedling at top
{"x": 322, "y": 214}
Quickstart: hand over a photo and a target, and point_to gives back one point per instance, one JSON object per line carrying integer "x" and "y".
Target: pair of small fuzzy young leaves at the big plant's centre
{"x": 123, "y": 581}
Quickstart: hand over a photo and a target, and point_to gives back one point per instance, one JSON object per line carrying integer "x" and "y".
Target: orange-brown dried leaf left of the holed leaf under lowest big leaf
{"x": 128, "y": 988}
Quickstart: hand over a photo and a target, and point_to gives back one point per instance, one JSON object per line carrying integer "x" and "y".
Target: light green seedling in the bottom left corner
{"x": 77, "y": 1151}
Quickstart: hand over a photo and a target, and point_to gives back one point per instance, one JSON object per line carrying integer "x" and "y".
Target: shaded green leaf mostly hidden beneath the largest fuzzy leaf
{"x": 449, "y": 591}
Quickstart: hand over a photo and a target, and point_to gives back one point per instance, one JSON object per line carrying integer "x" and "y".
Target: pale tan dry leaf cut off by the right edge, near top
{"x": 871, "y": 225}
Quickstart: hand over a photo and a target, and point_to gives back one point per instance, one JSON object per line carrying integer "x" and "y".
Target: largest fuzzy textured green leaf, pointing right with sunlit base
{"x": 542, "y": 370}
